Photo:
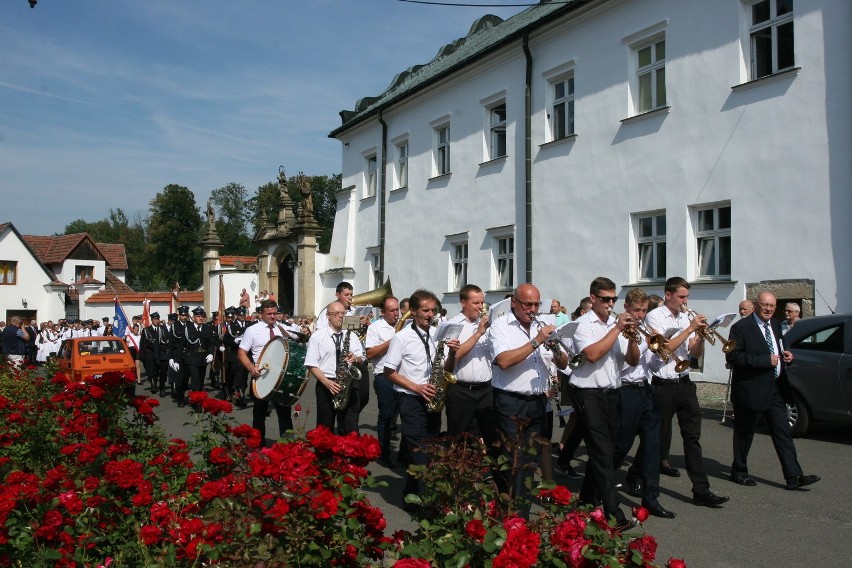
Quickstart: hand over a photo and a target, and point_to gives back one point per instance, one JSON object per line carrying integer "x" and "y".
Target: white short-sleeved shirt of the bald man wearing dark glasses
{"x": 532, "y": 375}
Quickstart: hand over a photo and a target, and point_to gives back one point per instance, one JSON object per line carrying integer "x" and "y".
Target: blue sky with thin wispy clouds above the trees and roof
{"x": 105, "y": 102}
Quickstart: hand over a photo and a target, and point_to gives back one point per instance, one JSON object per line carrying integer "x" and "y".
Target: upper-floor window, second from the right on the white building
{"x": 652, "y": 37}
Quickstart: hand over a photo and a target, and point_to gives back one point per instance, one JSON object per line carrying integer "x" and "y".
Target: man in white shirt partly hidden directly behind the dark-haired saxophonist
{"x": 377, "y": 342}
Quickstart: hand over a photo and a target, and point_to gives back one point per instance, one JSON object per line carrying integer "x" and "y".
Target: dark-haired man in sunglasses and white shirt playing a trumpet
{"x": 600, "y": 337}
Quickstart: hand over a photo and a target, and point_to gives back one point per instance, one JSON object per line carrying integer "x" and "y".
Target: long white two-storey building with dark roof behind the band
{"x": 633, "y": 140}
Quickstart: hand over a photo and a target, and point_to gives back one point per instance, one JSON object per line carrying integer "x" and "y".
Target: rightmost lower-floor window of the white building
{"x": 713, "y": 243}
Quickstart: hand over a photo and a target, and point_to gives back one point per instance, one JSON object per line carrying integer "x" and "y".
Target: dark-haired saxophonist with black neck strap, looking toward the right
{"x": 408, "y": 364}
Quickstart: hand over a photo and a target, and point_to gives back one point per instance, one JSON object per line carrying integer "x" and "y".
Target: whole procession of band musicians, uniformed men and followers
{"x": 624, "y": 375}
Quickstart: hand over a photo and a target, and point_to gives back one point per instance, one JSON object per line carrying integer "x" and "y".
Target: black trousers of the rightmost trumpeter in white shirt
{"x": 680, "y": 398}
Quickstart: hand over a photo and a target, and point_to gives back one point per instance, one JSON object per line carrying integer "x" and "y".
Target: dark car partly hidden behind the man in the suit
{"x": 821, "y": 372}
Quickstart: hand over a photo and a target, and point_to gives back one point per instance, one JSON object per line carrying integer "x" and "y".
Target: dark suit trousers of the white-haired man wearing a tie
{"x": 745, "y": 420}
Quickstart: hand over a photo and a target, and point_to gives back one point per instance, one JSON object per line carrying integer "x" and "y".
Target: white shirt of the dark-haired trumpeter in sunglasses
{"x": 606, "y": 371}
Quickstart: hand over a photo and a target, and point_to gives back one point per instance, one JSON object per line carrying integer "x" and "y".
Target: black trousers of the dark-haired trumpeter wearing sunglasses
{"x": 599, "y": 411}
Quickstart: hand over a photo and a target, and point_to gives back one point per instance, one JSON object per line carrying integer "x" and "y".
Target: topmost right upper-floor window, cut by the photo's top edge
{"x": 772, "y": 25}
